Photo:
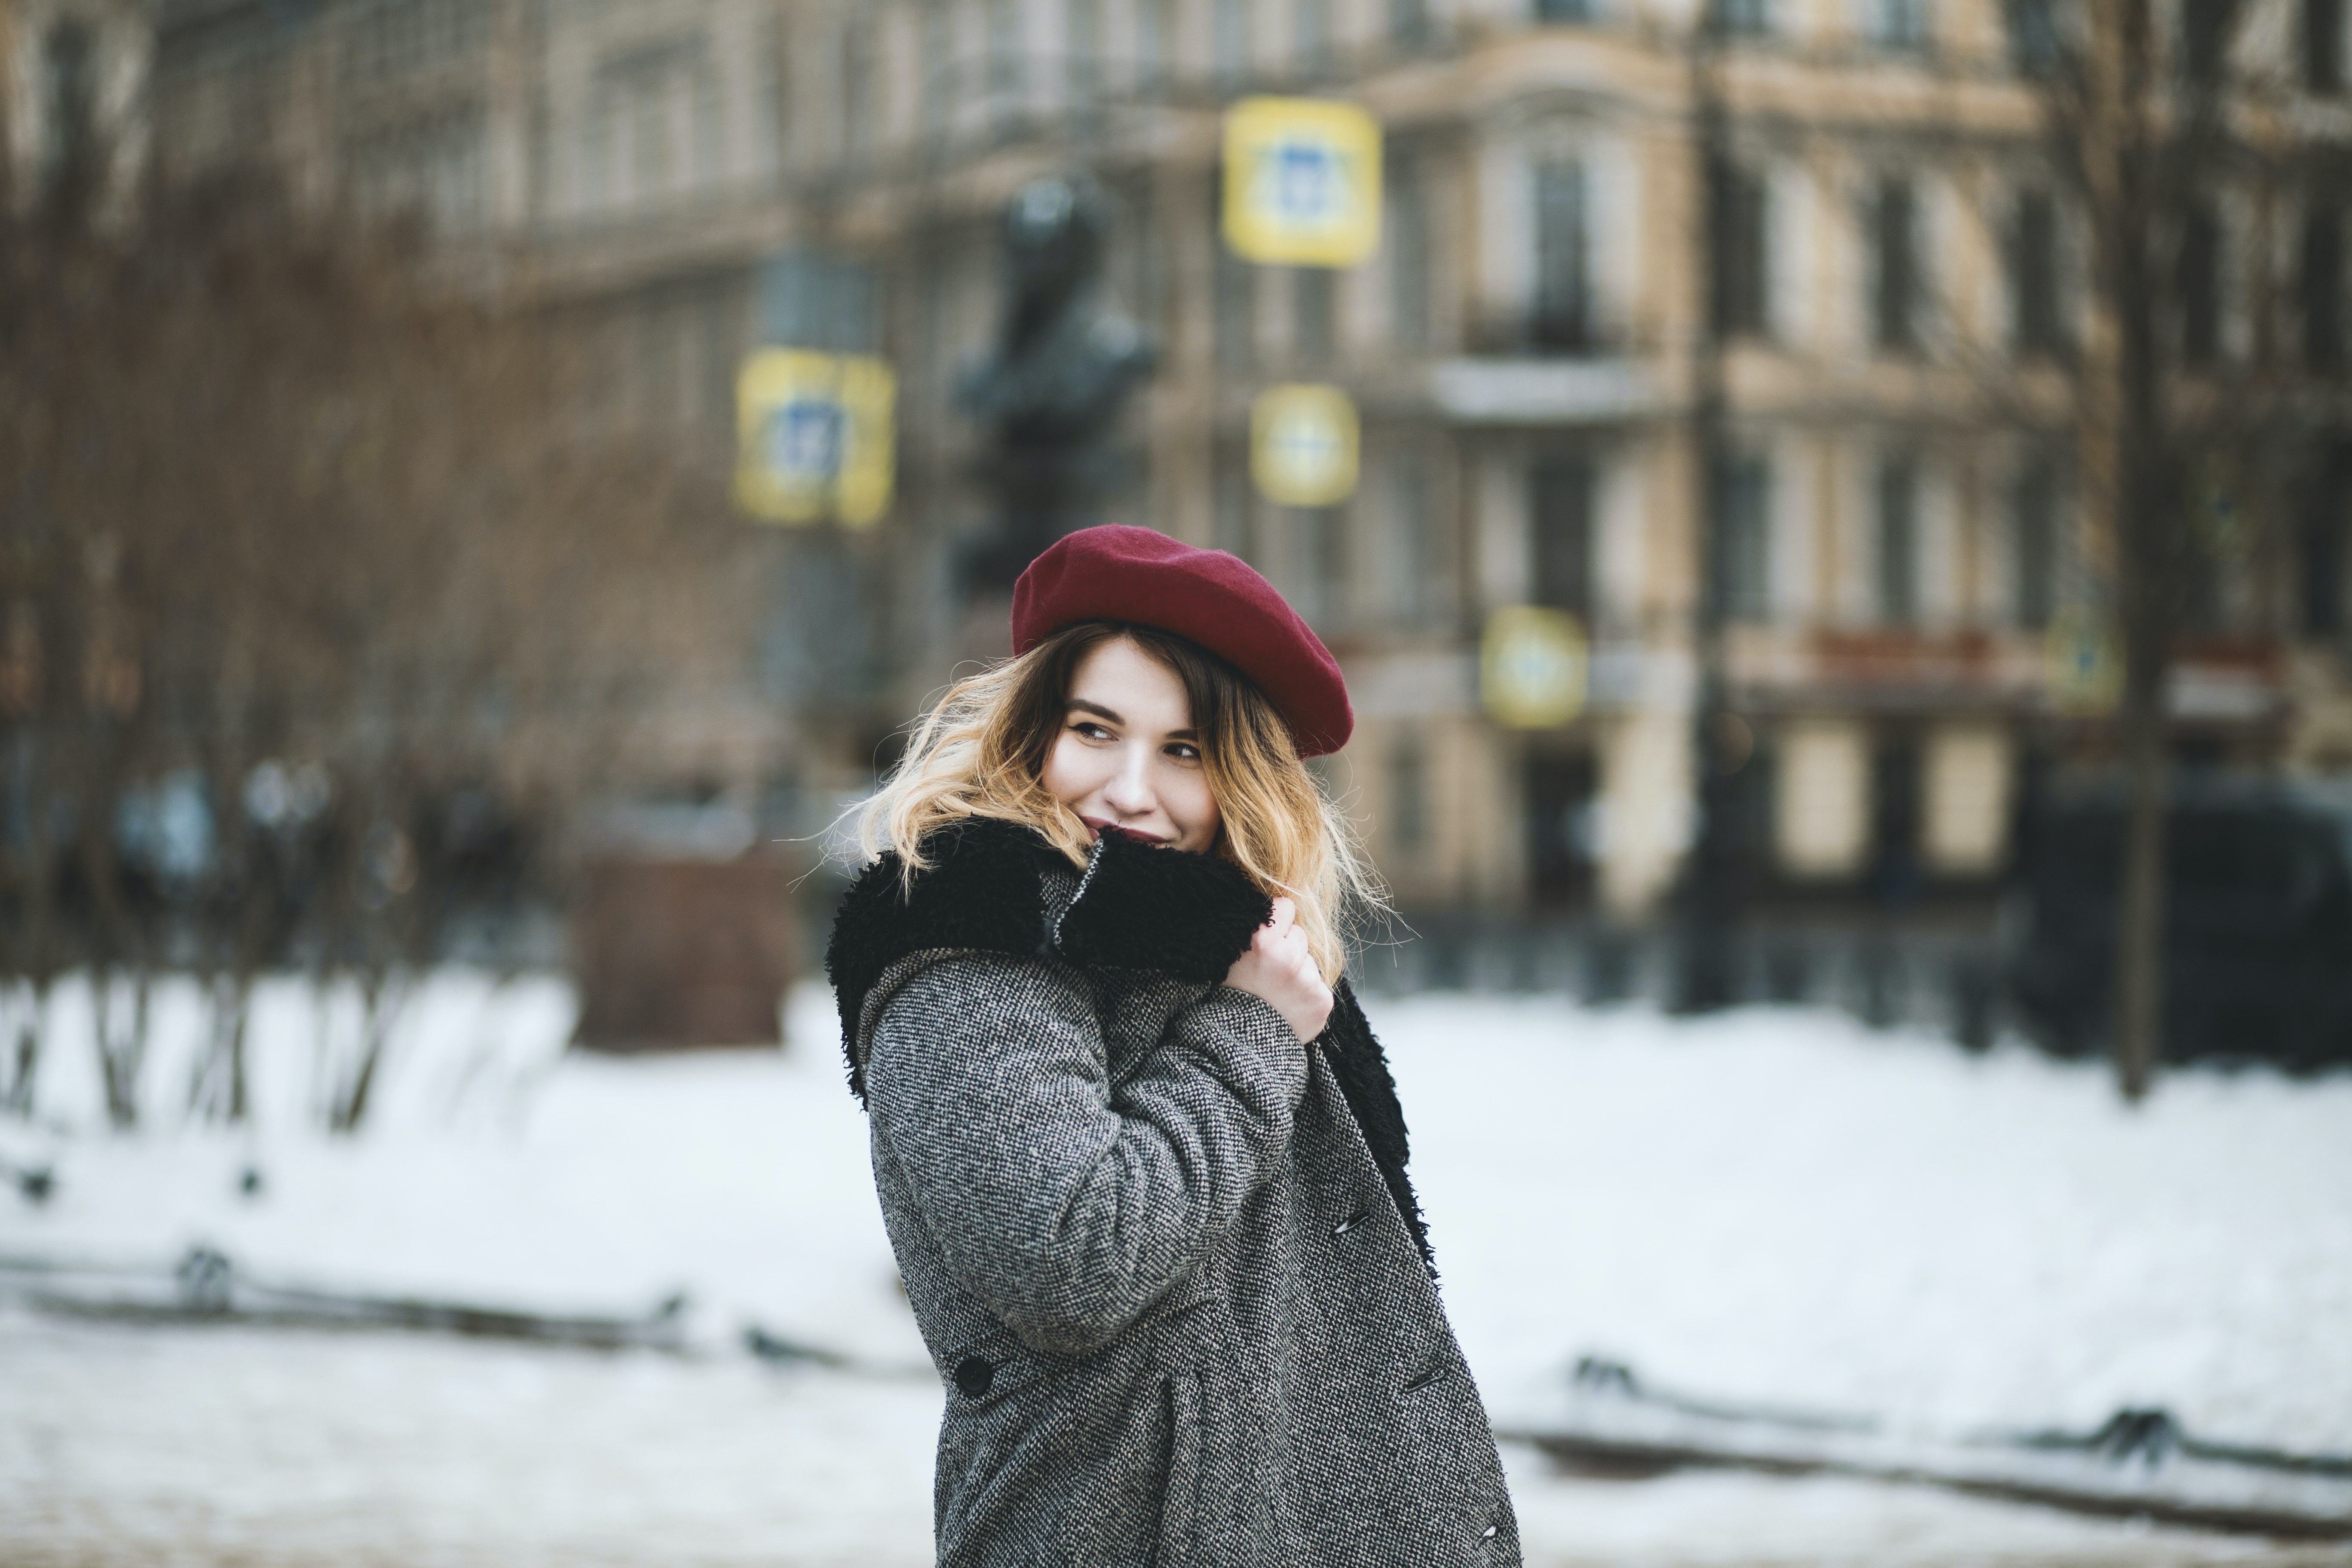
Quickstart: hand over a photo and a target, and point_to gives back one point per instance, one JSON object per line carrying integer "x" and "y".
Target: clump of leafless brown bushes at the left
{"x": 314, "y": 547}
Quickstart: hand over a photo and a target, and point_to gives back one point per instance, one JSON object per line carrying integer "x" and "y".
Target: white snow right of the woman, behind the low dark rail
{"x": 1786, "y": 1207}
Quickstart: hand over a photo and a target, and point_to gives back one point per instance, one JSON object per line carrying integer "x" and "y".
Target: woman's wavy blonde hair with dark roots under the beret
{"x": 982, "y": 751}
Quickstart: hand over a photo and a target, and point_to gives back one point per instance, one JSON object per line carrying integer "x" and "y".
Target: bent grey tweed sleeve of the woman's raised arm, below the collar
{"x": 1060, "y": 1205}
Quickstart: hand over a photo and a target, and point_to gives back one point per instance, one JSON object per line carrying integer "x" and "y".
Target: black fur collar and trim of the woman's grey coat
{"x": 1137, "y": 909}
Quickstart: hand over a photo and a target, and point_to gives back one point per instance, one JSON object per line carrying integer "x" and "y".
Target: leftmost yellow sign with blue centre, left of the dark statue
{"x": 815, "y": 436}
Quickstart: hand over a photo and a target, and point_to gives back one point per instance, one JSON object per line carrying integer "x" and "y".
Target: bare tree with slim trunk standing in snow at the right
{"x": 2156, "y": 130}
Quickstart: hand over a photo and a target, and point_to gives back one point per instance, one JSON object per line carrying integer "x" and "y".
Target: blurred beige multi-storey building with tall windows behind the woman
{"x": 1845, "y": 436}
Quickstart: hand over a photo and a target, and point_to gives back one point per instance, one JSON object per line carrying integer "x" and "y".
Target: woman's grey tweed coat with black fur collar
{"x": 1165, "y": 1259}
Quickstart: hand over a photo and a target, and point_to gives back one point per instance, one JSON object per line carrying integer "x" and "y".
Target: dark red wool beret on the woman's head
{"x": 1205, "y": 596}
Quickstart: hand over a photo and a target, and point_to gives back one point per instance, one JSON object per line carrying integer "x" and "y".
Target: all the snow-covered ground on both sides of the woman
{"x": 1770, "y": 1205}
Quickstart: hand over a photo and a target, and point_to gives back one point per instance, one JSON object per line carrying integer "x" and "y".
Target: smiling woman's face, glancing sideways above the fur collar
{"x": 1128, "y": 756}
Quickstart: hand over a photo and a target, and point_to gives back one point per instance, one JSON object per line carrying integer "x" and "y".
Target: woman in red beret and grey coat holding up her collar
{"x": 1163, "y": 1252}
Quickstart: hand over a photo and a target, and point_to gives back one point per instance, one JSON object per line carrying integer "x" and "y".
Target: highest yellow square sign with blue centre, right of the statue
{"x": 1302, "y": 182}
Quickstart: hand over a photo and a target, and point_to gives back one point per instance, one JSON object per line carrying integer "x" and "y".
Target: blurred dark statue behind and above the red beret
{"x": 1064, "y": 366}
